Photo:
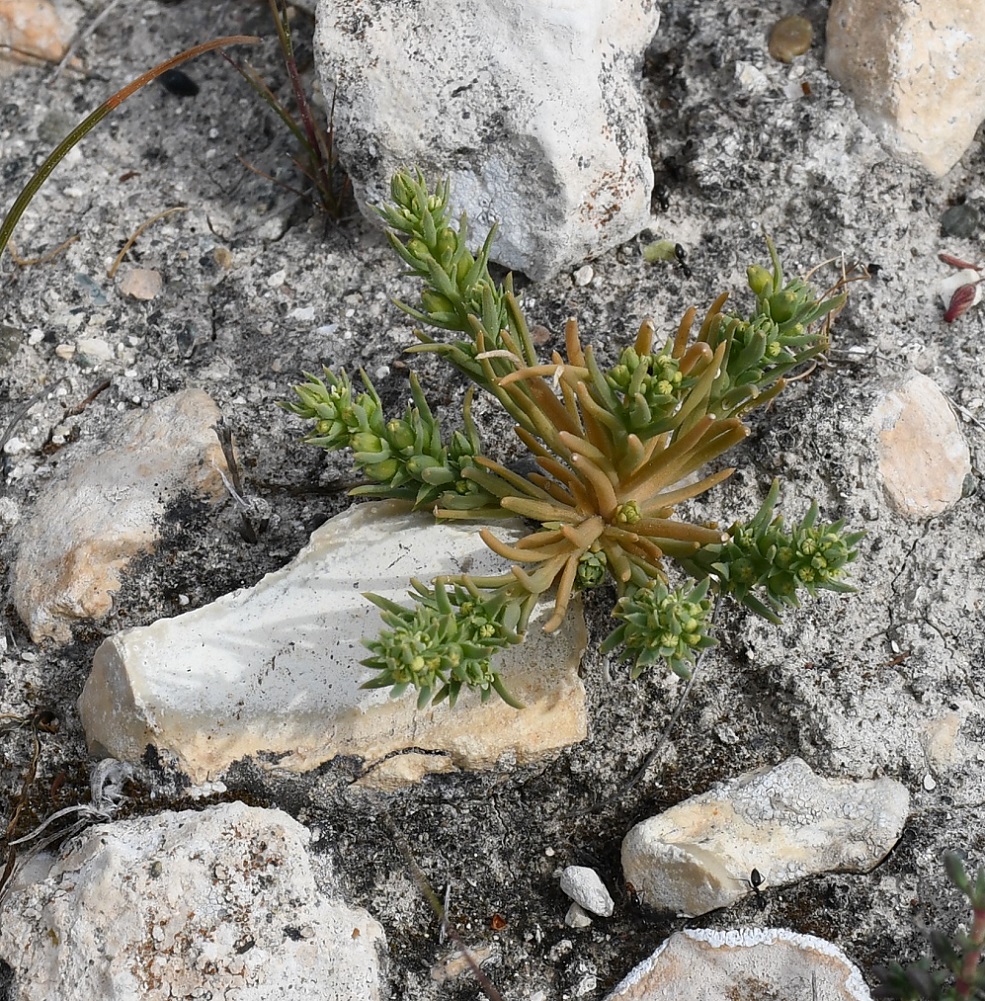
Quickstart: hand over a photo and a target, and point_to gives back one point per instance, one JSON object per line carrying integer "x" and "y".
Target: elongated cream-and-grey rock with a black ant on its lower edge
{"x": 785, "y": 822}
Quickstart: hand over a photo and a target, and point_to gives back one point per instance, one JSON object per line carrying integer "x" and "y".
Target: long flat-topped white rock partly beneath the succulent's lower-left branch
{"x": 273, "y": 671}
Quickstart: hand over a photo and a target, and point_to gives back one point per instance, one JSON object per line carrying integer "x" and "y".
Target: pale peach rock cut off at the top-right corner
{"x": 916, "y": 72}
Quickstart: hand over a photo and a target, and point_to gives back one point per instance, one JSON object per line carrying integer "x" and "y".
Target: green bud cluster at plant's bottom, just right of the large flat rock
{"x": 660, "y": 625}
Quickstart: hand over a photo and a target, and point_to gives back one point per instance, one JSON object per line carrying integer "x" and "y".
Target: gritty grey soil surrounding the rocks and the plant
{"x": 258, "y": 288}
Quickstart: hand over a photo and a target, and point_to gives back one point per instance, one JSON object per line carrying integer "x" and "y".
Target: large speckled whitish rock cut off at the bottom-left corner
{"x": 220, "y": 903}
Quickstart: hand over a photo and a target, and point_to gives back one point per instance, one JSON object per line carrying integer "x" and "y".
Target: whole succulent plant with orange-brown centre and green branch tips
{"x": 618, "y": 450}
